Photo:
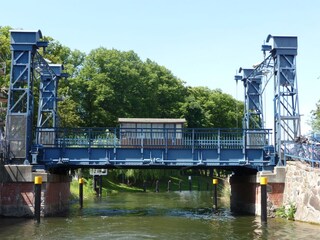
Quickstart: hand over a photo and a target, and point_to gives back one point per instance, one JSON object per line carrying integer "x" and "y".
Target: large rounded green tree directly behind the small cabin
{"x": 115, "y": 84}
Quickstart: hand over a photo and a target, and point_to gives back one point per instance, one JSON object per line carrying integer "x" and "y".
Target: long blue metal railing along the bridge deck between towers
{"x": 204, "y": 138}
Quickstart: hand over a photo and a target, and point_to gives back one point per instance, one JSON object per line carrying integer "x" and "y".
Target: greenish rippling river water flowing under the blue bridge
{"x": 174, "y": 215}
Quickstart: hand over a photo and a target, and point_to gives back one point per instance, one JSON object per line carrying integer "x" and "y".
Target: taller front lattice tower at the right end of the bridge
{"x": 286, "y": 102}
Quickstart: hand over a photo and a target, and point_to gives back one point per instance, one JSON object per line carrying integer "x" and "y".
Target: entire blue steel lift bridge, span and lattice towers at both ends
{"x": 50, "y": 146}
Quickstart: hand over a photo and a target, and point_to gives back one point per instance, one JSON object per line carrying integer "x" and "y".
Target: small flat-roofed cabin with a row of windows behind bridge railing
{"x": 151, "y": 132}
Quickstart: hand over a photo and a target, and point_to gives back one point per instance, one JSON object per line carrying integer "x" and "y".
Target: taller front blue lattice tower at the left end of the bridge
{"x": 24, "y": 45}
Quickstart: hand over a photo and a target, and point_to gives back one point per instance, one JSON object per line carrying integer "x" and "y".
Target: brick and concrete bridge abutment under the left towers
{"x": 17, "y": 192}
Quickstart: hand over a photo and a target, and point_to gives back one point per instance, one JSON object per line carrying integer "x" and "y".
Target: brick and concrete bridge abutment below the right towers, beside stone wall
{"x": 246, "y": 195}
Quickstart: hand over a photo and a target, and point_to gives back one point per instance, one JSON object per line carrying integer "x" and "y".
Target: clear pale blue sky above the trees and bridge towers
{"x": 202, "y": 42}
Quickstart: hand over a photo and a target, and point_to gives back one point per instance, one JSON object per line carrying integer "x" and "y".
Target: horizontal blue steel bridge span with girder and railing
{"x": 127, "y": 148}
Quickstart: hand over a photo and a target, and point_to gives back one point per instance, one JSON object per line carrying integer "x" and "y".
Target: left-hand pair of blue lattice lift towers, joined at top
{"x": 27, "y": 68}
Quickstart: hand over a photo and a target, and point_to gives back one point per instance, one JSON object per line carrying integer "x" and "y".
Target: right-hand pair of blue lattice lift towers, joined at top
{"x": 281, "y": 65}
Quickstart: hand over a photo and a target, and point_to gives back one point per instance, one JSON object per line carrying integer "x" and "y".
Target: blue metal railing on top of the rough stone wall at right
{"x": 309, "y": 153}
